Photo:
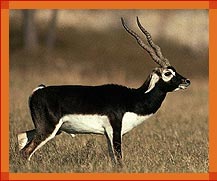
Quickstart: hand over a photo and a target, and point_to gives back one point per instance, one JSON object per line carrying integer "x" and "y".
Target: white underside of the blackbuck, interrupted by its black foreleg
{"x": 78, "y": 123}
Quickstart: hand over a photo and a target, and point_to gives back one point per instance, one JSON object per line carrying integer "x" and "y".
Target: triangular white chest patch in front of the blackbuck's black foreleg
{"x": 131, "y": 120}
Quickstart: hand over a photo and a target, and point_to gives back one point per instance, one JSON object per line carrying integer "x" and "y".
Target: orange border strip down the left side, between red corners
{"x": 4, "y": 90}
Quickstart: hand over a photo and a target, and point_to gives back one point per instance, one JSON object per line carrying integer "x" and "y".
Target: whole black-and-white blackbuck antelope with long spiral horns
{"x": 110, "y": 110}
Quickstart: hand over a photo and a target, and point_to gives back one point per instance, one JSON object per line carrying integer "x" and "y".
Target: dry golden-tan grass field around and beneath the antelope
{"x": 174, "y": 140}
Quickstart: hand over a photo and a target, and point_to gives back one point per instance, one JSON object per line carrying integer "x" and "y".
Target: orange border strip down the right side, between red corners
{"x": 213, "y": 91}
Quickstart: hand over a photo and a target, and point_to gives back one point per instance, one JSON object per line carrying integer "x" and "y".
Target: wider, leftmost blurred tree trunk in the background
{"x": 29, "y": 30}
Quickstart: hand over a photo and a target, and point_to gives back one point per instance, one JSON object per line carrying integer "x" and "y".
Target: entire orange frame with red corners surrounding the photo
{"x": 5, "y": 175}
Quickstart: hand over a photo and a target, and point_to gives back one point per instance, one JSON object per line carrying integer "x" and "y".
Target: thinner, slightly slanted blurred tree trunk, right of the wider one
{"x": 51, "y": 36}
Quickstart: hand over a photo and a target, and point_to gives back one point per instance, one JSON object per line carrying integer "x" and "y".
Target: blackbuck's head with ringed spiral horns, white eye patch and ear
{"x": 167, "y": 78}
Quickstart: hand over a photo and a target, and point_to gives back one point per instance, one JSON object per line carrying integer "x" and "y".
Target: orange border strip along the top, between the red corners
{"x": 109, "y": 5}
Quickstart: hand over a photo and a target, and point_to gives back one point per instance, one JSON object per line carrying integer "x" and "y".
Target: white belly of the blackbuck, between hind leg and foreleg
{"x": 78, "y": 123}
